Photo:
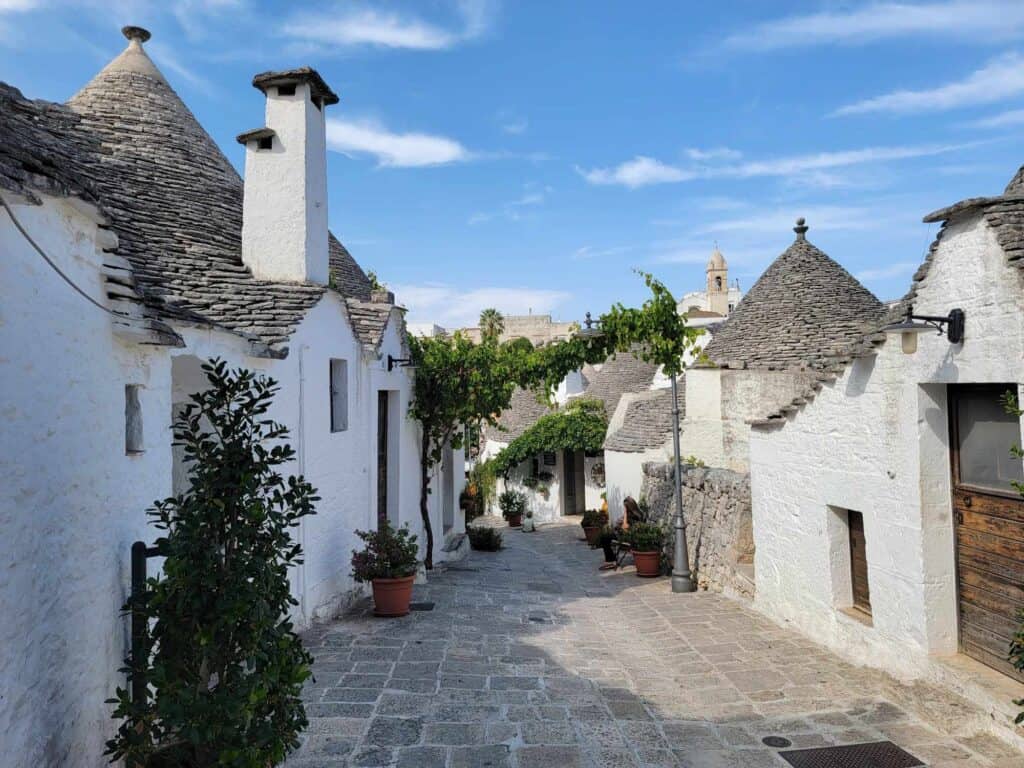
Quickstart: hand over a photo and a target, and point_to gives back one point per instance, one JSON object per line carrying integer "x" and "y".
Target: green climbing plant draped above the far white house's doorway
{"x": 580, "y": 426}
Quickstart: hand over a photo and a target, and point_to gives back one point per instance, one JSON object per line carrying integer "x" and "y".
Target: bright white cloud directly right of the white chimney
{"x": 394, "y": 150}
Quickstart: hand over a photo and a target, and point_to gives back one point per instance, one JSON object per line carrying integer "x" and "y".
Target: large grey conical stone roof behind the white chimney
{"x": 176, "y": 203}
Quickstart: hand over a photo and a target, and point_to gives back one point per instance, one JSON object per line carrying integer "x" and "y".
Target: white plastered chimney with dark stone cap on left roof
{"x": 284, "y": 216}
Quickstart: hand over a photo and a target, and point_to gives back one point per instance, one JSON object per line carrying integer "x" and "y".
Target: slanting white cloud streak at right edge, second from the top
{"x": 1000, "y": 79}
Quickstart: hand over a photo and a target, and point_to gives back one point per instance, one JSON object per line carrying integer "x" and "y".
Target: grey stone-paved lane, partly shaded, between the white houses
{"x": 533, "y": 659}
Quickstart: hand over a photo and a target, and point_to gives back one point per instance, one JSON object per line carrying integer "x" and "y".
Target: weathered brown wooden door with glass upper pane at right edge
{"x": 990, "y": 519}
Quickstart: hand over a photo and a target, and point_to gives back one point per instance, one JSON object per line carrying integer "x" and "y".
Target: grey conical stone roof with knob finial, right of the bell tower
{"x": 803, "y": 312}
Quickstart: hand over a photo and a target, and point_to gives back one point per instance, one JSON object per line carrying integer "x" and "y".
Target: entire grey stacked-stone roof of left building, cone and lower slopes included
{"x": 129, "y": 143}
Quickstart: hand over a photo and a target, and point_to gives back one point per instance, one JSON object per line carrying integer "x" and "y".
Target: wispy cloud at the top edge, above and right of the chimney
{"x": 391, "y": 30}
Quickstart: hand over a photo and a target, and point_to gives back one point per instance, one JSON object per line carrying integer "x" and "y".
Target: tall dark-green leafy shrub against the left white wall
{"x": 225, "y": 666}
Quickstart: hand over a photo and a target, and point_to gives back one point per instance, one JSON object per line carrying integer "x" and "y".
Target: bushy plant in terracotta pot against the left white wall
{"x": 389, "y": 561}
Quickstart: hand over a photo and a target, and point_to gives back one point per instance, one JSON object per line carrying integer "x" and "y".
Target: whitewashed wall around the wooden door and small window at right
{"x": 877, "y": 442}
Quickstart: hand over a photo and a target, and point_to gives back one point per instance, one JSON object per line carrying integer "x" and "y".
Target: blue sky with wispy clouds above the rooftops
{"x": 530, "y": 155}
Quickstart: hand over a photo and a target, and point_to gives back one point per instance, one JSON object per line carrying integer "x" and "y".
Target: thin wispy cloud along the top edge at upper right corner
{"x": 985, "y": 20}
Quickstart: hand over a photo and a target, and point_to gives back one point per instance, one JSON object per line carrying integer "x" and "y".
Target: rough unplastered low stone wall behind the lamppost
{"x": 717, "y": 511}
